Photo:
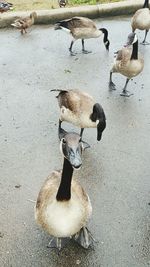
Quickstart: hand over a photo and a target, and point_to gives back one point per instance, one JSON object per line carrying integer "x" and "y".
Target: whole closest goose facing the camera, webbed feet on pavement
{"x": 63, "y": 207}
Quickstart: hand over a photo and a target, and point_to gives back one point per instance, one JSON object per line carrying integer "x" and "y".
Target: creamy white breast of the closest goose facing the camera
{"x": 65, "y": 218}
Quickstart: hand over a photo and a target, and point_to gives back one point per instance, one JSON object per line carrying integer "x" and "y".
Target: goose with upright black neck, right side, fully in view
{"x": 128, "y": 63}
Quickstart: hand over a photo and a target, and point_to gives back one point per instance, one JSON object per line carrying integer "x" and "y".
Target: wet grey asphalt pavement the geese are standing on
{"x": 115, "y": 171}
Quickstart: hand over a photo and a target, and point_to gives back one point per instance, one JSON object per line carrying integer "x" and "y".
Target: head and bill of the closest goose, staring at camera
{"x": 71, "y": 148}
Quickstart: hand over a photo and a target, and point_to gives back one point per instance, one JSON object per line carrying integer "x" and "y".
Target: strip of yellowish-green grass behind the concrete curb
{"x": 48, "y": 4}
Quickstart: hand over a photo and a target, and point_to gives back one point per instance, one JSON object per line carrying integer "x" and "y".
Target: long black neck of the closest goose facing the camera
{"x": 64, "y": 190}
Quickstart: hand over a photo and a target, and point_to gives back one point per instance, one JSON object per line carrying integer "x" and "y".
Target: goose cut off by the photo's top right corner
{"x": 141, "y": 20}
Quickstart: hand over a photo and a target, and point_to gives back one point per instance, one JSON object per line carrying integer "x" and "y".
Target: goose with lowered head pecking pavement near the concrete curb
{"x": 82, "y": 28}
